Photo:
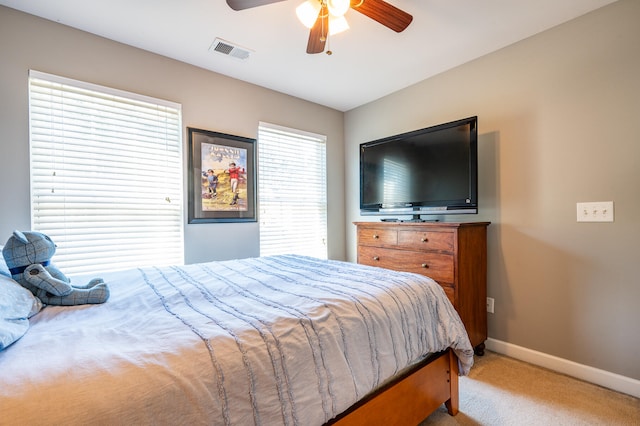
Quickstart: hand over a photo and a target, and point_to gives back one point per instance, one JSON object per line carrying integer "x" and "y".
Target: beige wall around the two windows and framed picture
{"x": 209, "y": 101}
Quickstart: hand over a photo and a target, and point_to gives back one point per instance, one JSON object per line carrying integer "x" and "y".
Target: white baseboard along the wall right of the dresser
{"x": 583, "y": 372}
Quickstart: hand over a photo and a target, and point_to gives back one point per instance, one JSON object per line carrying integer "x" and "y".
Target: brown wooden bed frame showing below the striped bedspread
{"x": 410, "y": 398}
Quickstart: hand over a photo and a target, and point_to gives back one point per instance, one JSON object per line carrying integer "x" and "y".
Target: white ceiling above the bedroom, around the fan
{"x": 369, "y": 61}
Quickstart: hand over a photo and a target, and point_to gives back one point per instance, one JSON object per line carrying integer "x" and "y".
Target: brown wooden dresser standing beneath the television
{"x": 453, "y": 254}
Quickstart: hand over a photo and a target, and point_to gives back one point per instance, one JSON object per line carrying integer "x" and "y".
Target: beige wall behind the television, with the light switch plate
{"x": 558, "y": 121}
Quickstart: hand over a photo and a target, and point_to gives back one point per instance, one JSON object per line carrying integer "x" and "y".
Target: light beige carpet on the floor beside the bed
{"x": 504, "y": 391}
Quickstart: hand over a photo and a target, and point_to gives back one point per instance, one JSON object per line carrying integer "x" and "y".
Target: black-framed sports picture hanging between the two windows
{"x": 222, "y": 177}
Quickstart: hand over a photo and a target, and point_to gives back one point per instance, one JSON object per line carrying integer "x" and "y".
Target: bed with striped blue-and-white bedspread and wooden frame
{"x": 287, "y": 339}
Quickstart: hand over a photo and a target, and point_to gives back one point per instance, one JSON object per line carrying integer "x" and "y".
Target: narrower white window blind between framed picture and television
{"x": 292, "y": 191}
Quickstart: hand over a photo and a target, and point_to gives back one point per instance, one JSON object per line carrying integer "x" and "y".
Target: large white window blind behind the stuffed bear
{"x": 106, "y": 175}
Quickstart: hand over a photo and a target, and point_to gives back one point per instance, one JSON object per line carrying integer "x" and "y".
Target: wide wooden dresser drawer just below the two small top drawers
{"x": 438, "y": 266}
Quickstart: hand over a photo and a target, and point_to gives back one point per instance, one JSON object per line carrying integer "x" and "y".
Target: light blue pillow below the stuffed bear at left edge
{"x": 17, "y": 305}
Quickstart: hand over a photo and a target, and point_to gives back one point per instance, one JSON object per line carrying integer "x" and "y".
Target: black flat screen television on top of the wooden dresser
{"x": 431, "y": 171}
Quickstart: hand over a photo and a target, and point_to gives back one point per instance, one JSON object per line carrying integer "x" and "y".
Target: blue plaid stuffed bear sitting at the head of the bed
{"x": 28, "y": 256}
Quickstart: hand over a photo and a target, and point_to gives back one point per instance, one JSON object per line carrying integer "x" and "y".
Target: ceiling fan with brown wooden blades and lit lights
{"x": 378, "y": 10}
